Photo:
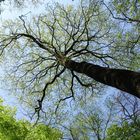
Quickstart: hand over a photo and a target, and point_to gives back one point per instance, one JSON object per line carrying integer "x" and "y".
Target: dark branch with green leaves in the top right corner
{"x": 125, "y": 10}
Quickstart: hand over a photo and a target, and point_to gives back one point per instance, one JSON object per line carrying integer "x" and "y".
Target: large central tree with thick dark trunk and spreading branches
{"x": 50, "y": 52}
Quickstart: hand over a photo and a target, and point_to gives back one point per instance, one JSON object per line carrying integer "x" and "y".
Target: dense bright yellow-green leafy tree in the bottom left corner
{"x": 11, "y": 129}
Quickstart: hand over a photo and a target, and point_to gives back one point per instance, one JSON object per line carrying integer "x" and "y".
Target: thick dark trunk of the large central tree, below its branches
{"x": 125, "y": 80}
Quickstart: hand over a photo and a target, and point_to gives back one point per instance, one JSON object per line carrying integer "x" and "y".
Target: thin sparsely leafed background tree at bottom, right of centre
{"x": 90, "y": 124}
